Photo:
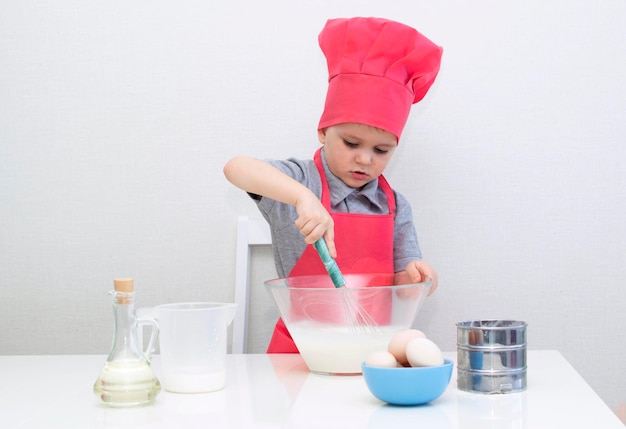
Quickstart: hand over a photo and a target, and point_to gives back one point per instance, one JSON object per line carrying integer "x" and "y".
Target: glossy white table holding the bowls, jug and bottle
{"x": 277, "y": 391}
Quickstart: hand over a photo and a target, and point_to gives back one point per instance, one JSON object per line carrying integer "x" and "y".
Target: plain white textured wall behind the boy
{"x": 116, "y": 119}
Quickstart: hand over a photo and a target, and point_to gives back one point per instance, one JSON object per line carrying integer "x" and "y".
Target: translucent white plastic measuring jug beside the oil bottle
{"x": 192, "y": 338}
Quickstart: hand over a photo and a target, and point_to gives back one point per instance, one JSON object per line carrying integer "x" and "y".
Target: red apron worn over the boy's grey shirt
{"x": 364, "y": 245}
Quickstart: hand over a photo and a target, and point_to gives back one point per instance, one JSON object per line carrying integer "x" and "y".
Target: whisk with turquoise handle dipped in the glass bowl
{"x": 358, "y": 317}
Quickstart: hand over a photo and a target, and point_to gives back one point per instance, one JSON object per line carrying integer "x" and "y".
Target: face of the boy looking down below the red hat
{"x": 357, "y": 153}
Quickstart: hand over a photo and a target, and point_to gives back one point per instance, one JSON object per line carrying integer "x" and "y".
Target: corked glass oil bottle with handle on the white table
{"x": 127, "y": 378}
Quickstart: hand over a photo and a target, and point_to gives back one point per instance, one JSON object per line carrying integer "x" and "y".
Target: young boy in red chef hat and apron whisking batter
{"x": 377, "y": 69}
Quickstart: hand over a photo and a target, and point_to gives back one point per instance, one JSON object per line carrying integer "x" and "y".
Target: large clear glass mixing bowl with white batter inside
{"x": 335, "y": 329}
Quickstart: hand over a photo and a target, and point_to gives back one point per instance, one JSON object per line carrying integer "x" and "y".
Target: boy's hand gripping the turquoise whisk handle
{"x": 314, "y": 222}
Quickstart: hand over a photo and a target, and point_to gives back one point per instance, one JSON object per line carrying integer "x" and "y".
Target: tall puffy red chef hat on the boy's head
{"x": 377, "y": 69}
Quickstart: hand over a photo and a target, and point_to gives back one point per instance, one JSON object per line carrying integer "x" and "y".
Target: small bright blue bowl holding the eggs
{"x": 408, "y": 386}
